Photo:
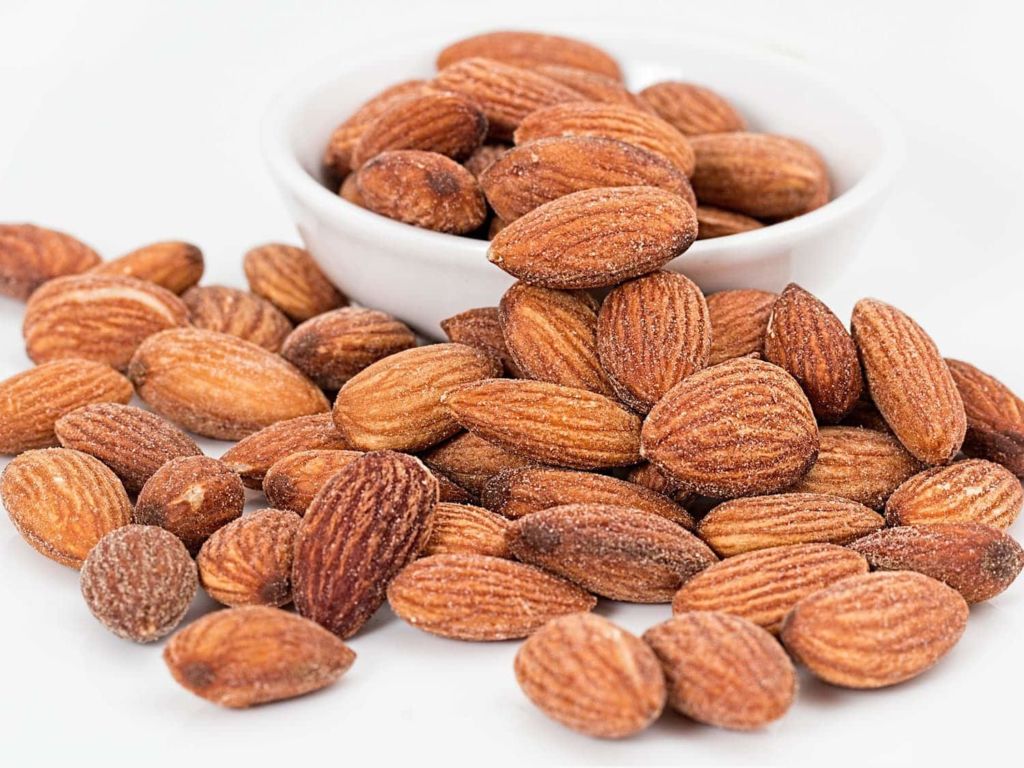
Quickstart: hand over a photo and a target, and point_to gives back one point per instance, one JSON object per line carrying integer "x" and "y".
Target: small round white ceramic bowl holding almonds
{"x": 423, "y": 277}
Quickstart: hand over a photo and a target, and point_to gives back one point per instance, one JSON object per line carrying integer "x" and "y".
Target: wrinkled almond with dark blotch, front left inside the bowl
{"x": 422, "y": 189}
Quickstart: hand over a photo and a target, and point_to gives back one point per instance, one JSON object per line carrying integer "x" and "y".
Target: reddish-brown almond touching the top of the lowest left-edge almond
{"x": 132, "y": 442}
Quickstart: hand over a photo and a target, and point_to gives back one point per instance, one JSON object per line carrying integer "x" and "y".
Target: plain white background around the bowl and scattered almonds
{"x": 125, "y": 123}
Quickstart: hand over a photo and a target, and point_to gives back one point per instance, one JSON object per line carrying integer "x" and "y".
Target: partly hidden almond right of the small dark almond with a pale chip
{"x": 253, "y": 457}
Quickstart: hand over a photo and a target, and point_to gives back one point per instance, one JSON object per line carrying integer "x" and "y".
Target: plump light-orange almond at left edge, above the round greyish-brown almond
{"x": 63, "y": 502}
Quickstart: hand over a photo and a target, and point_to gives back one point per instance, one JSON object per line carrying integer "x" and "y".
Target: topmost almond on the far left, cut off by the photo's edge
{"x": 31, "y": 255}
